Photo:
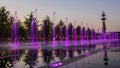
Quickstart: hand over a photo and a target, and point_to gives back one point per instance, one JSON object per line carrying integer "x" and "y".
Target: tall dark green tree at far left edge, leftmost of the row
{"x": 5, "y": 22}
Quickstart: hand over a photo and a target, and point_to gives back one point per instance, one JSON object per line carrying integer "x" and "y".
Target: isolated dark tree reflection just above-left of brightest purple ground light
{"x": 47, "y": 55}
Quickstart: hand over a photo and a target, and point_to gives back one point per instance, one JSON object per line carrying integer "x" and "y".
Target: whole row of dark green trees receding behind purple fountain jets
{"x": 6, "y": 21}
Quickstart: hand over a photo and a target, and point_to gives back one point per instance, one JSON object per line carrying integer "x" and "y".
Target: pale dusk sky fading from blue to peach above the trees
{"x": 86, "y": 11}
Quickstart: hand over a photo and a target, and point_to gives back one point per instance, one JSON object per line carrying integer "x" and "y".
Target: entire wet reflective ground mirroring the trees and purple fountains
{"x": 32, "y": 55}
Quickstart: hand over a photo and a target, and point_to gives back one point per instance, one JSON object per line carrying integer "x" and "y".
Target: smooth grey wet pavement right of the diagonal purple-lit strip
{"x": 97, "y": 61}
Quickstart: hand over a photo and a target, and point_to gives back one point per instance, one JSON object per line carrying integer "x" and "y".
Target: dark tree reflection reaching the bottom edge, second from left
{"x": 31, "y": 58}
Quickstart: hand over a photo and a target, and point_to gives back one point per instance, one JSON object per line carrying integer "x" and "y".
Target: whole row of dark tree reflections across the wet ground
{"x": 10, "y": 57}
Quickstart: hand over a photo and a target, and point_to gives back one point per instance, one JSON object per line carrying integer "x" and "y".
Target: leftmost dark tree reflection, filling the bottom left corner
{"x": 8, "y": 58}
